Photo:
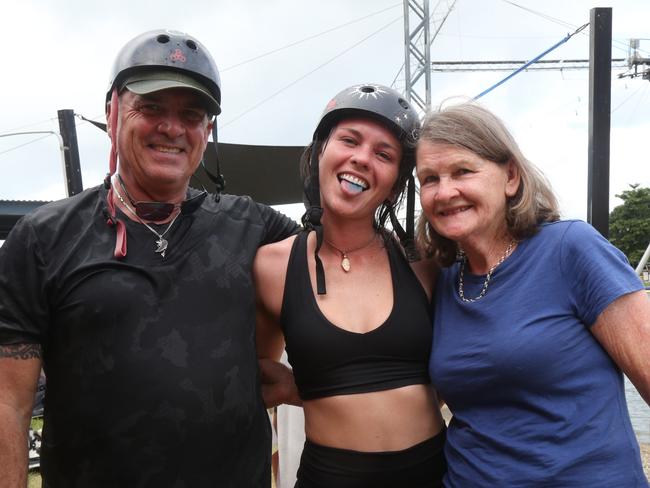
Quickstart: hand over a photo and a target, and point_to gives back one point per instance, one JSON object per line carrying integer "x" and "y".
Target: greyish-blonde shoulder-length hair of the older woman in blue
{"x": 472, "y": 127}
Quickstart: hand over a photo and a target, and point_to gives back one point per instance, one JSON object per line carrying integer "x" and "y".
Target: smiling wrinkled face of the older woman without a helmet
{"x": 464, "y": 196}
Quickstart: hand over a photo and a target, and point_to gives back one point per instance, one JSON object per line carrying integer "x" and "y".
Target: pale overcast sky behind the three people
{"x": 58, "y": 54}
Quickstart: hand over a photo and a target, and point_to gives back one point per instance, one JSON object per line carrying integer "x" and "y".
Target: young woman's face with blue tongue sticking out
{"x": 358, "y": 167}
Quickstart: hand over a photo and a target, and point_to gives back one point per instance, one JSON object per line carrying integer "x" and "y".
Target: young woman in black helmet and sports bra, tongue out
{"x": 355, "y": 317}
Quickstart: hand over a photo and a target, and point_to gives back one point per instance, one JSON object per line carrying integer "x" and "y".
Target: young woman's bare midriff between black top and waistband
{"x": 389, "y": 420}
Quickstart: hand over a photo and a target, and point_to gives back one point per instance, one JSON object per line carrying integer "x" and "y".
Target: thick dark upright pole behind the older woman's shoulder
{"x": 600, "y": 80}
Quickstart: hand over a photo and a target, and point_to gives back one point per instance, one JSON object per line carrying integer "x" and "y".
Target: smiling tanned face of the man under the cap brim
{"x": 161, "y": 139}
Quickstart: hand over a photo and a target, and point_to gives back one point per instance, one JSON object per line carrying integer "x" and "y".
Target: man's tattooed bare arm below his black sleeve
{"x": 20, "y": 366}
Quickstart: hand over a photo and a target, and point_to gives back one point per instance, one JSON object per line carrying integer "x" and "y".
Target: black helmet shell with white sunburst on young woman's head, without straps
{"x": 377, "y": 101}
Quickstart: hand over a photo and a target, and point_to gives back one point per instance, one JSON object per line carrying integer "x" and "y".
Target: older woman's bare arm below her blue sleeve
{"x": 623, "y": 329}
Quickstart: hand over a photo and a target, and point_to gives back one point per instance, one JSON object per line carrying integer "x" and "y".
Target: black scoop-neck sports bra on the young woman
{"x": 328, "y": 360}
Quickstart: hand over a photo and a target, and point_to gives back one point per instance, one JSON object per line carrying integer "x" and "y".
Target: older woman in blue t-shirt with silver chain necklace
{"x": 535, "y": 319}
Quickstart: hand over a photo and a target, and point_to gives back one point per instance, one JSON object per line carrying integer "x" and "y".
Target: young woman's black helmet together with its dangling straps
{"x": 391, "y": 109}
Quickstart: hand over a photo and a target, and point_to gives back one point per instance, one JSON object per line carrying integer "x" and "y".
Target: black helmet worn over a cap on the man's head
{"x": 167, "y": 50}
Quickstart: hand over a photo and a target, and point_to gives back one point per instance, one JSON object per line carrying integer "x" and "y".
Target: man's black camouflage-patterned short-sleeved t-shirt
{"x": 151, "y": 368}
